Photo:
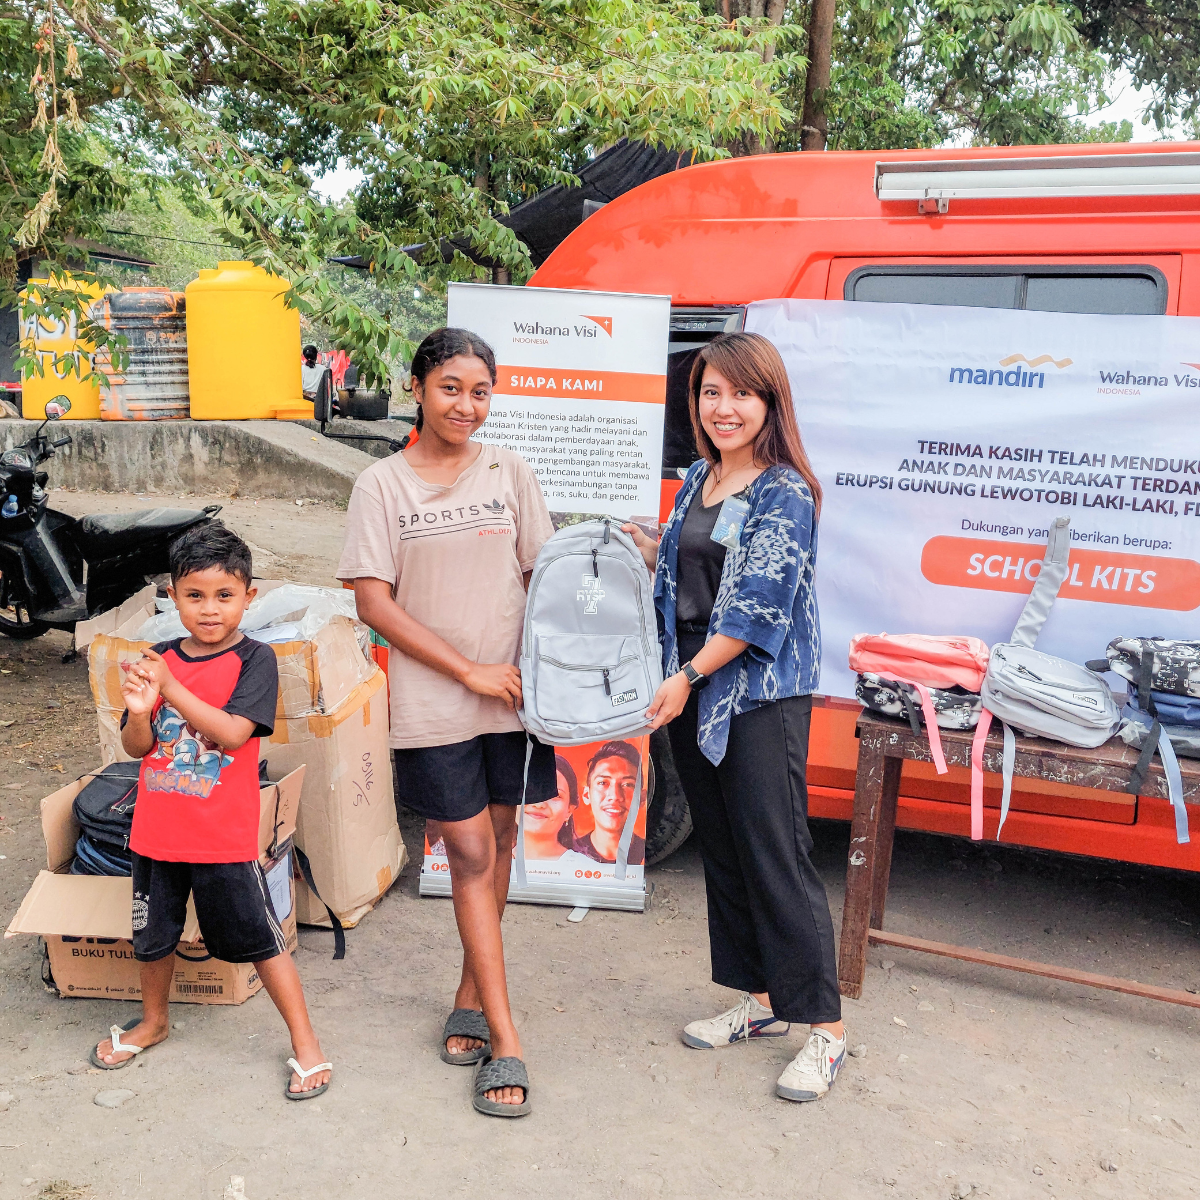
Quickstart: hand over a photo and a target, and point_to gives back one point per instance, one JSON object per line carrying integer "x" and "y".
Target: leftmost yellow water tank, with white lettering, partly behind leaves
{"x": 56, "y": 344}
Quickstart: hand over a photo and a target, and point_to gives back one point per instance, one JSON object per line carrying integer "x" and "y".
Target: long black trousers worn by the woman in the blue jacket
{"x": 770, "y": 927}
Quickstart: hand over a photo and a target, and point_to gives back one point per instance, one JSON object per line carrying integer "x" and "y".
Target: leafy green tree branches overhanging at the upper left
{"x": 453, "y": 107}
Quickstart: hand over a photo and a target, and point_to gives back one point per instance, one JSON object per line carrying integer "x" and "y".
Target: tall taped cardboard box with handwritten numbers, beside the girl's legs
{"x": 347, "y": 824}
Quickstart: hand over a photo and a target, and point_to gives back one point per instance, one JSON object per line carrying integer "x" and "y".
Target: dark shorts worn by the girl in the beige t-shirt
{"x": 458, "y": 782}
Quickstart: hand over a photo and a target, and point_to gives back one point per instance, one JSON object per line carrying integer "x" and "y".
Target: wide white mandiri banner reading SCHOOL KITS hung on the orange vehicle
{"x": 947, "y": 440}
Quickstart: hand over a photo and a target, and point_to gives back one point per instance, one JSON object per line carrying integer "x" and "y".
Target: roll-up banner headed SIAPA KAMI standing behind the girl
{"x": 580, "y": 395}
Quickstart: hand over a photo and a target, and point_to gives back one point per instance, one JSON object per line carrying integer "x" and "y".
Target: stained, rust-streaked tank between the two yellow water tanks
{"x": 154, "y": 385}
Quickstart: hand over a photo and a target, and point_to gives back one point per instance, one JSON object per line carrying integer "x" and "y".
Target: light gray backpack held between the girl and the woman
{"x": 591, "y": 662}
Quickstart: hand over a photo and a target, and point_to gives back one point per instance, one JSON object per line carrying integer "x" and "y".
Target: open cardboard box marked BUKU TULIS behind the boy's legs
{"x": 88, "y": 925}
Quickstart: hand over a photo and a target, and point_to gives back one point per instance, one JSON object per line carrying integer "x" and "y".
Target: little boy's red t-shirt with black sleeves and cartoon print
{"x": 199, "y": 803}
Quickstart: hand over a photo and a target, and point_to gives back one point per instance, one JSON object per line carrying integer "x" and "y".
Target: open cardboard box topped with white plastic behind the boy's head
{"x": 320, "y": 667}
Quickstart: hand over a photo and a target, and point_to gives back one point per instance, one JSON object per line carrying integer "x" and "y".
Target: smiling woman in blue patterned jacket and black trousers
{"x": 741, "y": 655}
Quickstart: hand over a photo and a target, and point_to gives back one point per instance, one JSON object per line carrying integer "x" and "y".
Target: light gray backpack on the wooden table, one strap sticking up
{"x": 1039, "y": 694}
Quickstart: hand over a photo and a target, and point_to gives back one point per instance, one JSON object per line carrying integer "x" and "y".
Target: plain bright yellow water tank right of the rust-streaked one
{"x": 243, "y": 347}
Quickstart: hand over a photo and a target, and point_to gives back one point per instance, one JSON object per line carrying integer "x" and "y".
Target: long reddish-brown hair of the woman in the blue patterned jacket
{"x": 752, "y": 363}
